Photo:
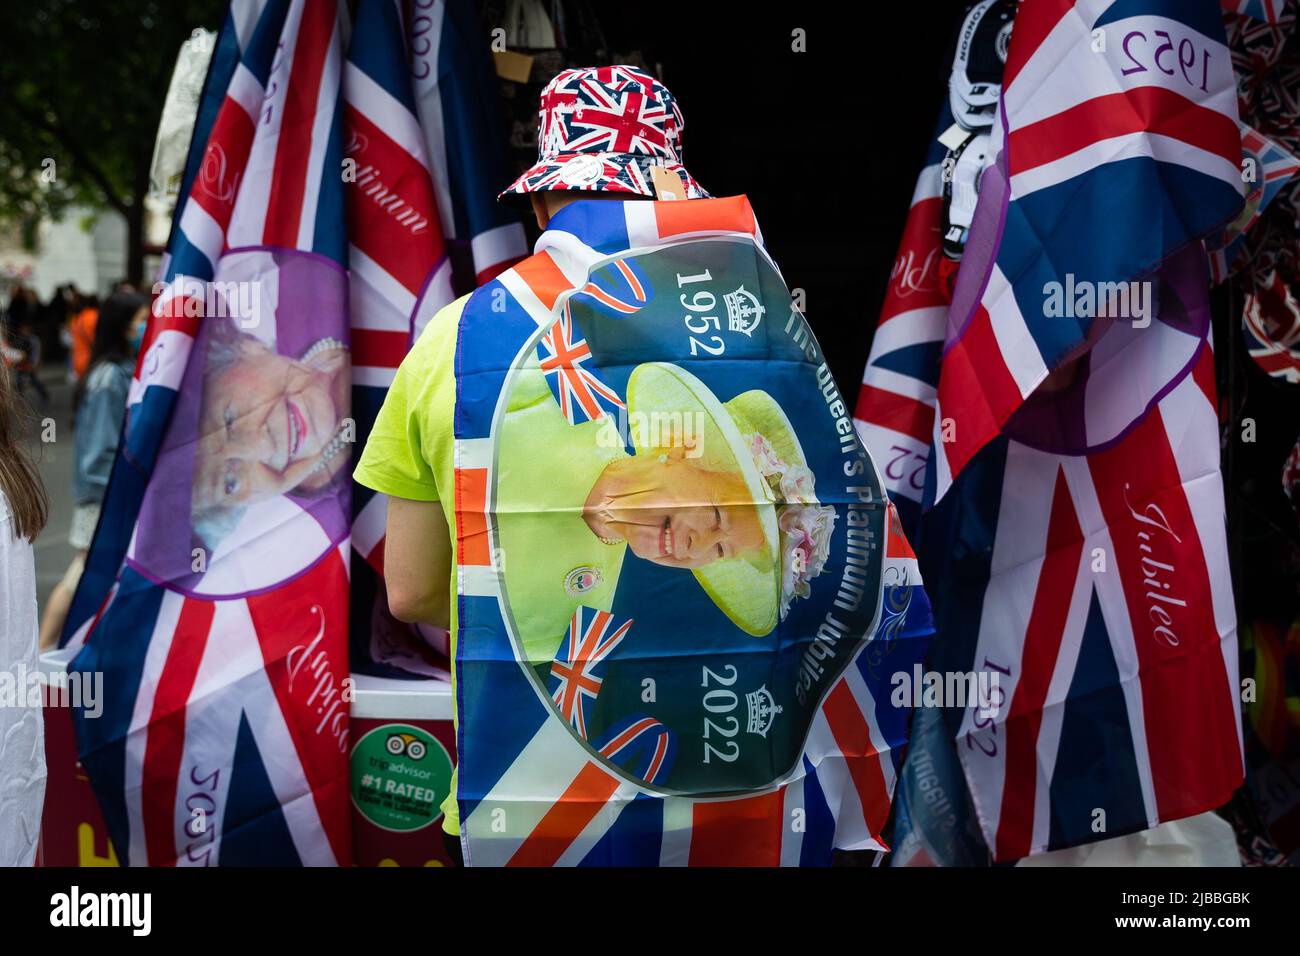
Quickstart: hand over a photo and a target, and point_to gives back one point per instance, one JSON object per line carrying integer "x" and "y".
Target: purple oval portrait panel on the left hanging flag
{"x": 262, "y": 435}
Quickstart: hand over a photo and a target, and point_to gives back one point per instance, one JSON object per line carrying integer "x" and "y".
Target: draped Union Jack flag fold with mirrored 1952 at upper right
{"x": 1111, "y": 159}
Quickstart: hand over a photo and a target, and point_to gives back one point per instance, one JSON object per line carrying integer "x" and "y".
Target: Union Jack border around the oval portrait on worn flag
{"x": 574, "y": 811}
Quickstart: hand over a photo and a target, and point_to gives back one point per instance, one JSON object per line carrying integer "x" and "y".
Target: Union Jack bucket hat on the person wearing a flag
{"x": 603, "y": 129}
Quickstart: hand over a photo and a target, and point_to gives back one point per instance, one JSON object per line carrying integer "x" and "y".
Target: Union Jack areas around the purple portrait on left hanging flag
{"x": 209, "y": 751}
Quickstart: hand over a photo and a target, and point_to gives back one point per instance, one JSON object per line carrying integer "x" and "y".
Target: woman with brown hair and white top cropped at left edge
{"x": 24, "y": 508}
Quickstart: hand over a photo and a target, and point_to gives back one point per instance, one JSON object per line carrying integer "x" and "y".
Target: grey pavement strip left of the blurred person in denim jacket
{"x": 55, "y": 461}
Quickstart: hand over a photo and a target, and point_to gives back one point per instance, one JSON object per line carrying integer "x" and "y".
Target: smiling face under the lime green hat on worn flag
{"x": 674, "y": 512}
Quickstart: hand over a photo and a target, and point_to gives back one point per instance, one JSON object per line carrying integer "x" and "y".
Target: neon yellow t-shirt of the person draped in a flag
{"x": 410, "y": 451}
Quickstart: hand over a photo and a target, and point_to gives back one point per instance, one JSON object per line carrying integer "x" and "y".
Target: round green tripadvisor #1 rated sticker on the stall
{"x": 401, "y": 776}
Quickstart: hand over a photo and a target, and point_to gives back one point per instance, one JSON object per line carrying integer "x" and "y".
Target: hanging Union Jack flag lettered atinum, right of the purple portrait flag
{"x": 401, "y": 276}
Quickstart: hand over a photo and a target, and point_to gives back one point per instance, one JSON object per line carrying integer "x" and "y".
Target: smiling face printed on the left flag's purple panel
{"x": 265, "y": 422}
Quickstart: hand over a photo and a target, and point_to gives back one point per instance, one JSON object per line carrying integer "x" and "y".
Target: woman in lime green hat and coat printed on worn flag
{"x": 729, "y": 498}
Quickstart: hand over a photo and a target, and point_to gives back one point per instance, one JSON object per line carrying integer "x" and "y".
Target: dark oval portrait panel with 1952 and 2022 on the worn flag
{"x": 704, "y": 556}
